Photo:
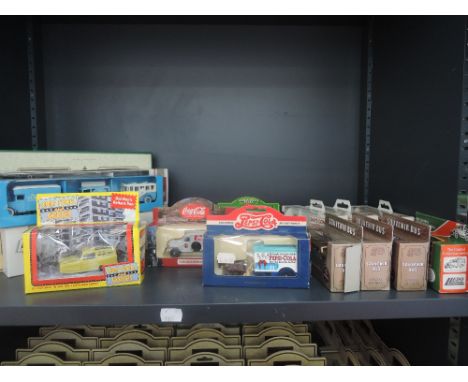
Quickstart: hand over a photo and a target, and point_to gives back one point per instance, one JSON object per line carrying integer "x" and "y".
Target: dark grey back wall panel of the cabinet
{"x": 268, "y": 110}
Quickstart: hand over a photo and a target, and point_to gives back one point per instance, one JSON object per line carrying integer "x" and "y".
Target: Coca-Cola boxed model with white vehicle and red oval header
{"x": 179, "y": 233}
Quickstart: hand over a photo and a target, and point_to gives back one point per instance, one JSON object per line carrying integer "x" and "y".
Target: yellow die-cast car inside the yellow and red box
{"x": 91, "y": 259}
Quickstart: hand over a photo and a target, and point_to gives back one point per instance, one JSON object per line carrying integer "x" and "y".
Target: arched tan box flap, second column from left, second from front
{"x": 131, "y": 347}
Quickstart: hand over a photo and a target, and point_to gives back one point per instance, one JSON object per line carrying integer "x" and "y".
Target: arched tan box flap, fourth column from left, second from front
{"x": 277, "y": 344}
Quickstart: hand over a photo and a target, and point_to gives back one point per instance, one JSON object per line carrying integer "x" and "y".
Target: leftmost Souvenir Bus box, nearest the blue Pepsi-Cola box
{"x": 336, "y": 254}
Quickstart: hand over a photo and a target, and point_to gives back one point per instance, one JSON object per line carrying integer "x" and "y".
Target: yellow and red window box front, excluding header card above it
{"x": 43, "y": 257}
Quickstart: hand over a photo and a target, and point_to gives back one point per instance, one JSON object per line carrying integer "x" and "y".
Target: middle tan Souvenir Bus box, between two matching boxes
{"x": 376, "y": 253}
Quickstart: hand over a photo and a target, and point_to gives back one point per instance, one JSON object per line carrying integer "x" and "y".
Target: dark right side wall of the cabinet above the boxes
{"x": 417, "y": 100}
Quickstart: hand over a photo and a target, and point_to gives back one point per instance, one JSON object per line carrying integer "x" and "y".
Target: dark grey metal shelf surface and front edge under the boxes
{"x": 182, "y": 289}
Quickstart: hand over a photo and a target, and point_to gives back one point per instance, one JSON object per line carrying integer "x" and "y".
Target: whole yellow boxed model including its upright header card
{"x": 68, "y": 250}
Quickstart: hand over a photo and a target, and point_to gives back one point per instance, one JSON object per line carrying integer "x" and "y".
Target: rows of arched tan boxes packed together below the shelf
{"x": 264, "y": 344}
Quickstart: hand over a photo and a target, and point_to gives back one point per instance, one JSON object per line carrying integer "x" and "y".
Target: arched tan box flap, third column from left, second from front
{"x": 205, "y": 346}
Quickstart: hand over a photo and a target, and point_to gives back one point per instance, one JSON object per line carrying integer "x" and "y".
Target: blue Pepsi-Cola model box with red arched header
{"x": 256, "y": 246}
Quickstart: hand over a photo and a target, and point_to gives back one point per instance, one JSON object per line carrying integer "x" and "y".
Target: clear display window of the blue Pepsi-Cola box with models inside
{"x": 255, "y": 255}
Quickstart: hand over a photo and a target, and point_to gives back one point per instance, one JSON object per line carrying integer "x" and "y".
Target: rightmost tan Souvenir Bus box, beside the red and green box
{"x": 410, "y": 253}
